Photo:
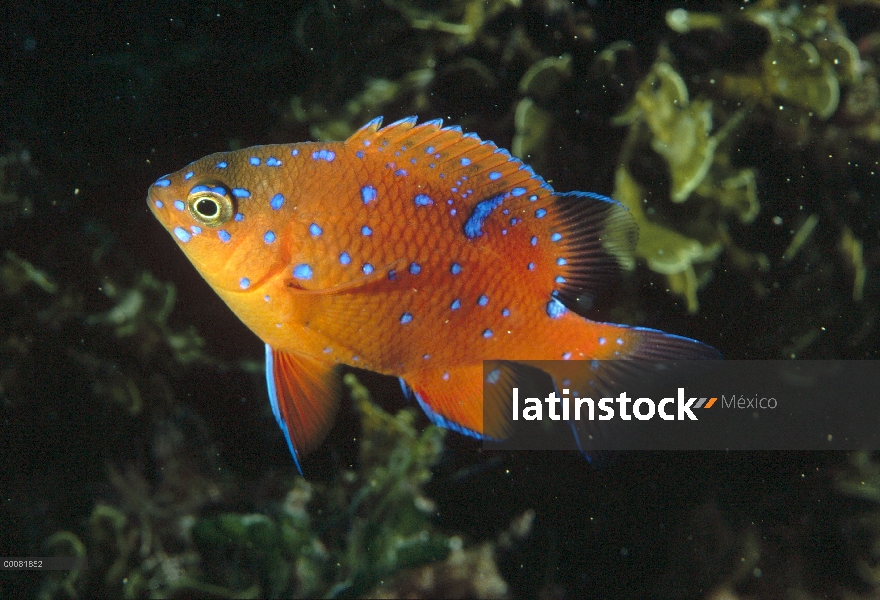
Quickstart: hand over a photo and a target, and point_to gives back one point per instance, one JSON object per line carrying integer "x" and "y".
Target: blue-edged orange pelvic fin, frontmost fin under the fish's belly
{"x": 304, "y": 394}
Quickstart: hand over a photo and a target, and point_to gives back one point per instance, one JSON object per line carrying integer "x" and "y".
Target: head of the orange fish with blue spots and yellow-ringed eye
{"x": 221, "y": 215}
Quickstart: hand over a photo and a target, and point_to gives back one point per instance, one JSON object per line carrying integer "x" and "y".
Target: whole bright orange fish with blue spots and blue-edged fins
{"x": 412, "y": 250}
